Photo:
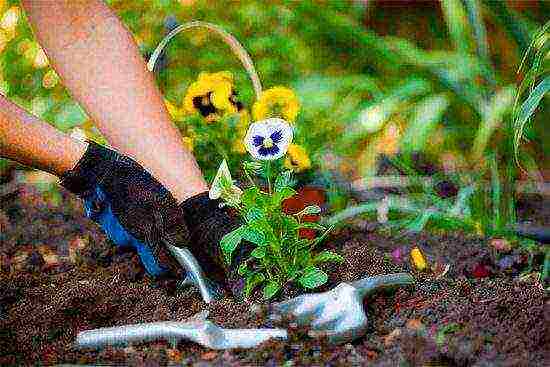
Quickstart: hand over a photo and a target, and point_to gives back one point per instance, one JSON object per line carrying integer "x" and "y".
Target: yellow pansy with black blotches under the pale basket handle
{"x": 212, "y": 95}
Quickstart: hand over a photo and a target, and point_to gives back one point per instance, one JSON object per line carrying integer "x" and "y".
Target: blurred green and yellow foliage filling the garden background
{"x": 372, "y": 77}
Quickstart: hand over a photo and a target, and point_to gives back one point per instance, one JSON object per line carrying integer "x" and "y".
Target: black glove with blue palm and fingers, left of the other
{"x": 131, "y": 206}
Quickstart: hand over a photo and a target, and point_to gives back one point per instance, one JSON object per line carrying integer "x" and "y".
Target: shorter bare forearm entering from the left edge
{"x": 32, "y": 142}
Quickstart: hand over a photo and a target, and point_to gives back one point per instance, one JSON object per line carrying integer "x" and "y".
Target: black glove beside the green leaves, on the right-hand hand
{"x": 207, "y": 224}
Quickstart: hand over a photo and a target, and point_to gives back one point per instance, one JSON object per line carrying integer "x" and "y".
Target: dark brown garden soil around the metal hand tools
{"x": 59, "y": 275}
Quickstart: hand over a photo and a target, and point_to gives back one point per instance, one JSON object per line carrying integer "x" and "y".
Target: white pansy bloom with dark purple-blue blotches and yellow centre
{"x": 268, "y": 139}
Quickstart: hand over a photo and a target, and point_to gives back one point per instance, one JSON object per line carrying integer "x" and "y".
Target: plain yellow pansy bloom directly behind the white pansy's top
{"x": 277, "y": 102}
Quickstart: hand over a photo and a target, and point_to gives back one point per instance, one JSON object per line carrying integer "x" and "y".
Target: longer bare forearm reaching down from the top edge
{"x": 100, "y": 64}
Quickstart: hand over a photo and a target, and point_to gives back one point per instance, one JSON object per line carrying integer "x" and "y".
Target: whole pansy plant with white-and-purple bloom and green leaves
{"x": 280, "y": 256}
